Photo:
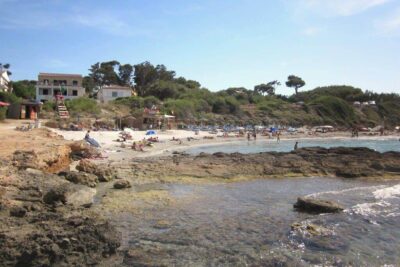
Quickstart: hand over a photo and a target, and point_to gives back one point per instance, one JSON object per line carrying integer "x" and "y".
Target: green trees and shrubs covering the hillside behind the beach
{"x": 192, "y": 103}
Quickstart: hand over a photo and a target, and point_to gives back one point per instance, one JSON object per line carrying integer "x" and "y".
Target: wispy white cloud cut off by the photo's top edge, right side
{"x": 340, "y": 7}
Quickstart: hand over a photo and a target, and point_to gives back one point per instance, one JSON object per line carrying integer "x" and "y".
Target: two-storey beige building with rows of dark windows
{"x": 51, "y": 84}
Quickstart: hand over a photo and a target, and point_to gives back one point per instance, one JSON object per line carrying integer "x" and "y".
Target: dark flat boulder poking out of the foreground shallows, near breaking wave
{"x": 317, "y": 206}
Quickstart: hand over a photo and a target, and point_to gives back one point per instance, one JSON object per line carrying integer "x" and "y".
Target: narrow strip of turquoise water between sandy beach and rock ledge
{"x": 288, "y": 145}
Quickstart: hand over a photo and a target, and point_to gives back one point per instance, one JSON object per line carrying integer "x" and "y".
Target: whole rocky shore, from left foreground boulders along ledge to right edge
{"x": 45, "y": 214}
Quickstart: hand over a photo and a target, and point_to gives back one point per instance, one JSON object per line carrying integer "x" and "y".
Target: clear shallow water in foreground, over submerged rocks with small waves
{"x": 250, "y": 223}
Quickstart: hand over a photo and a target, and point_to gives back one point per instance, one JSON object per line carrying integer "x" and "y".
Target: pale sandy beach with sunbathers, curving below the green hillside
{"x": 113, "y": 150}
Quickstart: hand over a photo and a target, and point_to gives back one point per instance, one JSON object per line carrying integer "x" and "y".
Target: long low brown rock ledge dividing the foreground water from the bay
{"x": 305, "y": 162}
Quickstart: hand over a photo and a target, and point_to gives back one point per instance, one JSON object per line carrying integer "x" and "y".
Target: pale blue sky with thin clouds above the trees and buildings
{"x": 220, "y": 43}
